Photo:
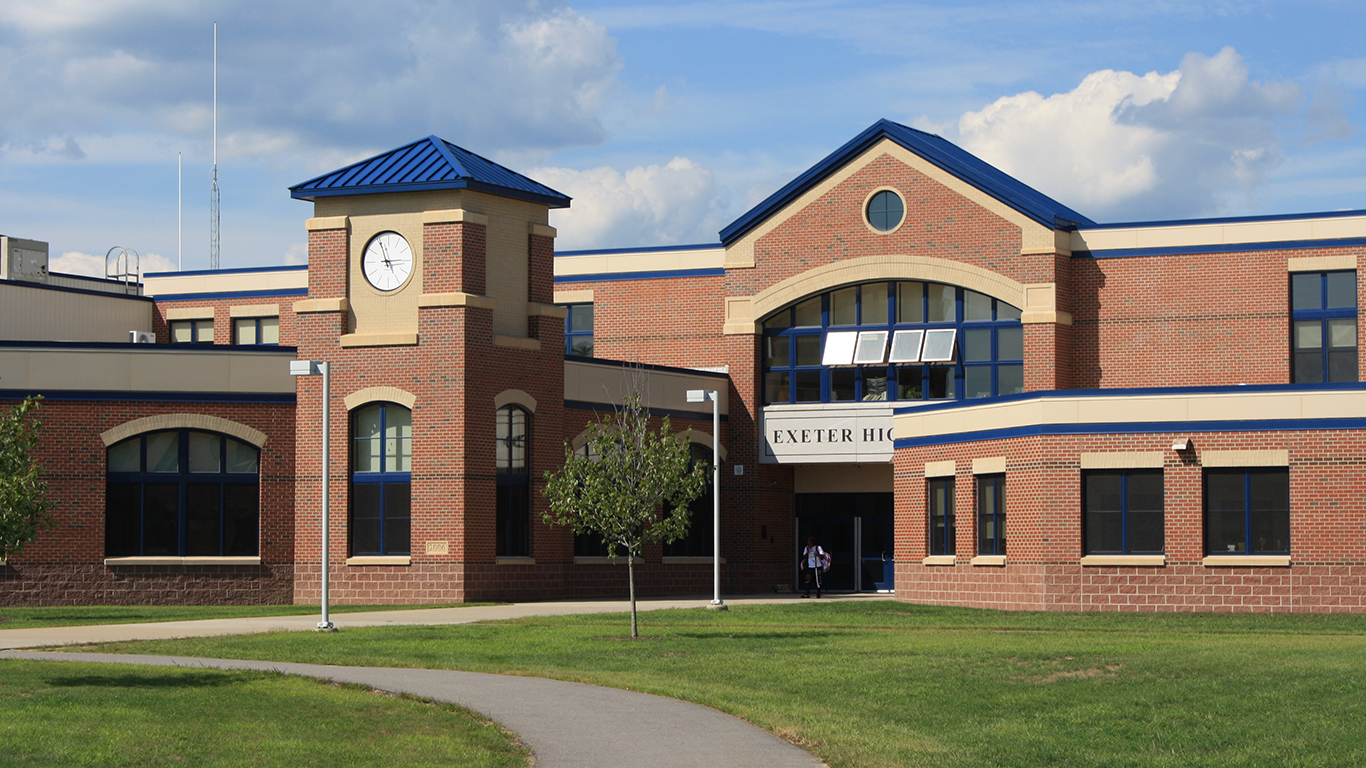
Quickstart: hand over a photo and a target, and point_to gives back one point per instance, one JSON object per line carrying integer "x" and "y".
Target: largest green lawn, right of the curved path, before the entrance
{"x": 886, "y": 684}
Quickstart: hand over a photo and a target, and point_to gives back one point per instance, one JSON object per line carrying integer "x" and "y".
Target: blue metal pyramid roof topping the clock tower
{"x": 428, "y": 165}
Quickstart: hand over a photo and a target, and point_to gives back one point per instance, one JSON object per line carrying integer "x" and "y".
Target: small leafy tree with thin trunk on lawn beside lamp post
{"x": 632, "y": 486}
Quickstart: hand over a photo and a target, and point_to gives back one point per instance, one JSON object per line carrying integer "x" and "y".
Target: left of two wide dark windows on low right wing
{"x": 1124, "y": 513}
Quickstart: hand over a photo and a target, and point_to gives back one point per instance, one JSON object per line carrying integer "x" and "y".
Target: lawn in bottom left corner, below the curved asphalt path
{"x": 64, "y": 714}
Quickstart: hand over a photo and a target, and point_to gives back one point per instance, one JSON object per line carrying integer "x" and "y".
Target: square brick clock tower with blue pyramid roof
{"x": 431, "y": 294}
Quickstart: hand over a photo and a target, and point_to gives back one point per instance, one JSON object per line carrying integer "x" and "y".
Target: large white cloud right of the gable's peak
{"x": 1182, "y": 144}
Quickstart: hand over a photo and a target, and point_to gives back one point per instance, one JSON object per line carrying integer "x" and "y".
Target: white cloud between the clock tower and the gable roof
{"x": 674, "y": 204}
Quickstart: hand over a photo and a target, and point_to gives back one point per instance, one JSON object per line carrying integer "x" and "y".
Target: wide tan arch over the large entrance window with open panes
{"x": 890, "y": 267}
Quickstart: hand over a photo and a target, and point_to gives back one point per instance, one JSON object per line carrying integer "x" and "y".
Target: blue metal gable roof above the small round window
{"x": 938, "y": 151}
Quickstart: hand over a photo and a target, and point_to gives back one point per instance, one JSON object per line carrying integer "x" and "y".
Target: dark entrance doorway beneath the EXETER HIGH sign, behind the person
{"x": 857, "y": 531}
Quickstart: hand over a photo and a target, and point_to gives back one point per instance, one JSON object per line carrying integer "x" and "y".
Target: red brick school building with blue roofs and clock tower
{"x": 971, "y": 394}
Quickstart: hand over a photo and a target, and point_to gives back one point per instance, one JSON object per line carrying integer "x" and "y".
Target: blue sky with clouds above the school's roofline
{"x": 663, "y": 121}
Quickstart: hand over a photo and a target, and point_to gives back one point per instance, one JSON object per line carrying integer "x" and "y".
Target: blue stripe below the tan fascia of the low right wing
{"x": 1134, "y": 428}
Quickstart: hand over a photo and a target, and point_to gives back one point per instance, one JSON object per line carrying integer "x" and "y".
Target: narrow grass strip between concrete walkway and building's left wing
{"x": 20, "y": 618}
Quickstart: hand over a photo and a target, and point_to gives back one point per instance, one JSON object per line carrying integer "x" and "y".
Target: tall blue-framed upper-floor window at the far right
{"x": 1323, "y": 327}
